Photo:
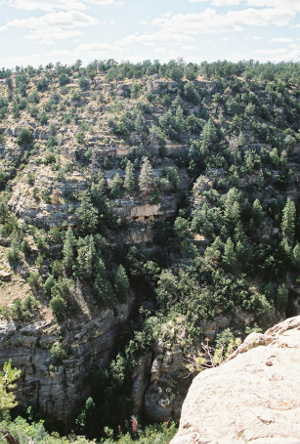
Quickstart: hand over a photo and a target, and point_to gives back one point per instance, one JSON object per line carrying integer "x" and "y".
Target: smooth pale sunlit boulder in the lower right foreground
{"x": 253, "y": 397}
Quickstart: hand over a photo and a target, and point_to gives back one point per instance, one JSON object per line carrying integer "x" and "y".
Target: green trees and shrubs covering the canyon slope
{"x": 222, "y": 140}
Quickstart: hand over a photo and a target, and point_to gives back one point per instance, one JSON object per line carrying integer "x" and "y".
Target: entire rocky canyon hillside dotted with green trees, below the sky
{"x": 180, "y": 194}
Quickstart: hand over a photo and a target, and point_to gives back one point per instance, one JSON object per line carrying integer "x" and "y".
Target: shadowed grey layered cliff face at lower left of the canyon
{"x": 53, "y": 383}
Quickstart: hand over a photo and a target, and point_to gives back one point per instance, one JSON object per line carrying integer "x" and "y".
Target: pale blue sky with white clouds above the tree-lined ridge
{"x": 36, "y": 32}
